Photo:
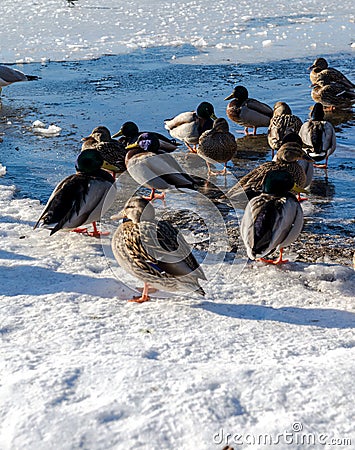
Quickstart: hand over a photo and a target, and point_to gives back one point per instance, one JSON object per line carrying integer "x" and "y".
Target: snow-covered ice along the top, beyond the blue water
{"x": 53, "y": 30}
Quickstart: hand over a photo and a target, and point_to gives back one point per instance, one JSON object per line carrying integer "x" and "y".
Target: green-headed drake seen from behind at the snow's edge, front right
{"x": 273, "y": 219}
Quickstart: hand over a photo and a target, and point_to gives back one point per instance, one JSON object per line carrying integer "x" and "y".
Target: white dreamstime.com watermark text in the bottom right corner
{"x": 295, "y": 436}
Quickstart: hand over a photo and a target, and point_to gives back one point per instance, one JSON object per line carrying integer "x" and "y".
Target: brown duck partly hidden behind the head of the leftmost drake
{"x": 113, "y": 152}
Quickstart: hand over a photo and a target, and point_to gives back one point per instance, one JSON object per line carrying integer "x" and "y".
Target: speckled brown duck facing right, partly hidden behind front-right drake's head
{"x": 286, "y": 158}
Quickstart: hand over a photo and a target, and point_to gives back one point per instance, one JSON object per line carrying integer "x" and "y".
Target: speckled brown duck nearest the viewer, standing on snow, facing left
{"x": 154, "y": 251}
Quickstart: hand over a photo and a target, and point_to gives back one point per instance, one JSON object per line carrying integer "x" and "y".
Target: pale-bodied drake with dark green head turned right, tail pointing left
{"x": 188, "y": 126}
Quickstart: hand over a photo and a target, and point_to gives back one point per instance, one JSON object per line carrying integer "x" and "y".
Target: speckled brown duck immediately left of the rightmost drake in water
{"x": 282, "y": 123}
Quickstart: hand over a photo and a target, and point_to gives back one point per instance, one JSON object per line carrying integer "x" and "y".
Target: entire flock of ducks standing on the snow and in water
{"x": 154, "y": 250}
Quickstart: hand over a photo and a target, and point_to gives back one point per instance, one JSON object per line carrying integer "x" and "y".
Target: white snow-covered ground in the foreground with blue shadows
{"x": 269, "y": 351}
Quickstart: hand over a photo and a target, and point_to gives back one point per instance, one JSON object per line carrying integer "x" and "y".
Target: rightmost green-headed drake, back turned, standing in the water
{"x": 318, "y": 136}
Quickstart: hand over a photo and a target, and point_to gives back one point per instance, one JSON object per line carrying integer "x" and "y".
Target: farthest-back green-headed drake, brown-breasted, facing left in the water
{"x": 246, "y": 111}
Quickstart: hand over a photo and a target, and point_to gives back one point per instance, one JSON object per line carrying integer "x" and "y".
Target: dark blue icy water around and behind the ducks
{"x": 148, "y": 87}
